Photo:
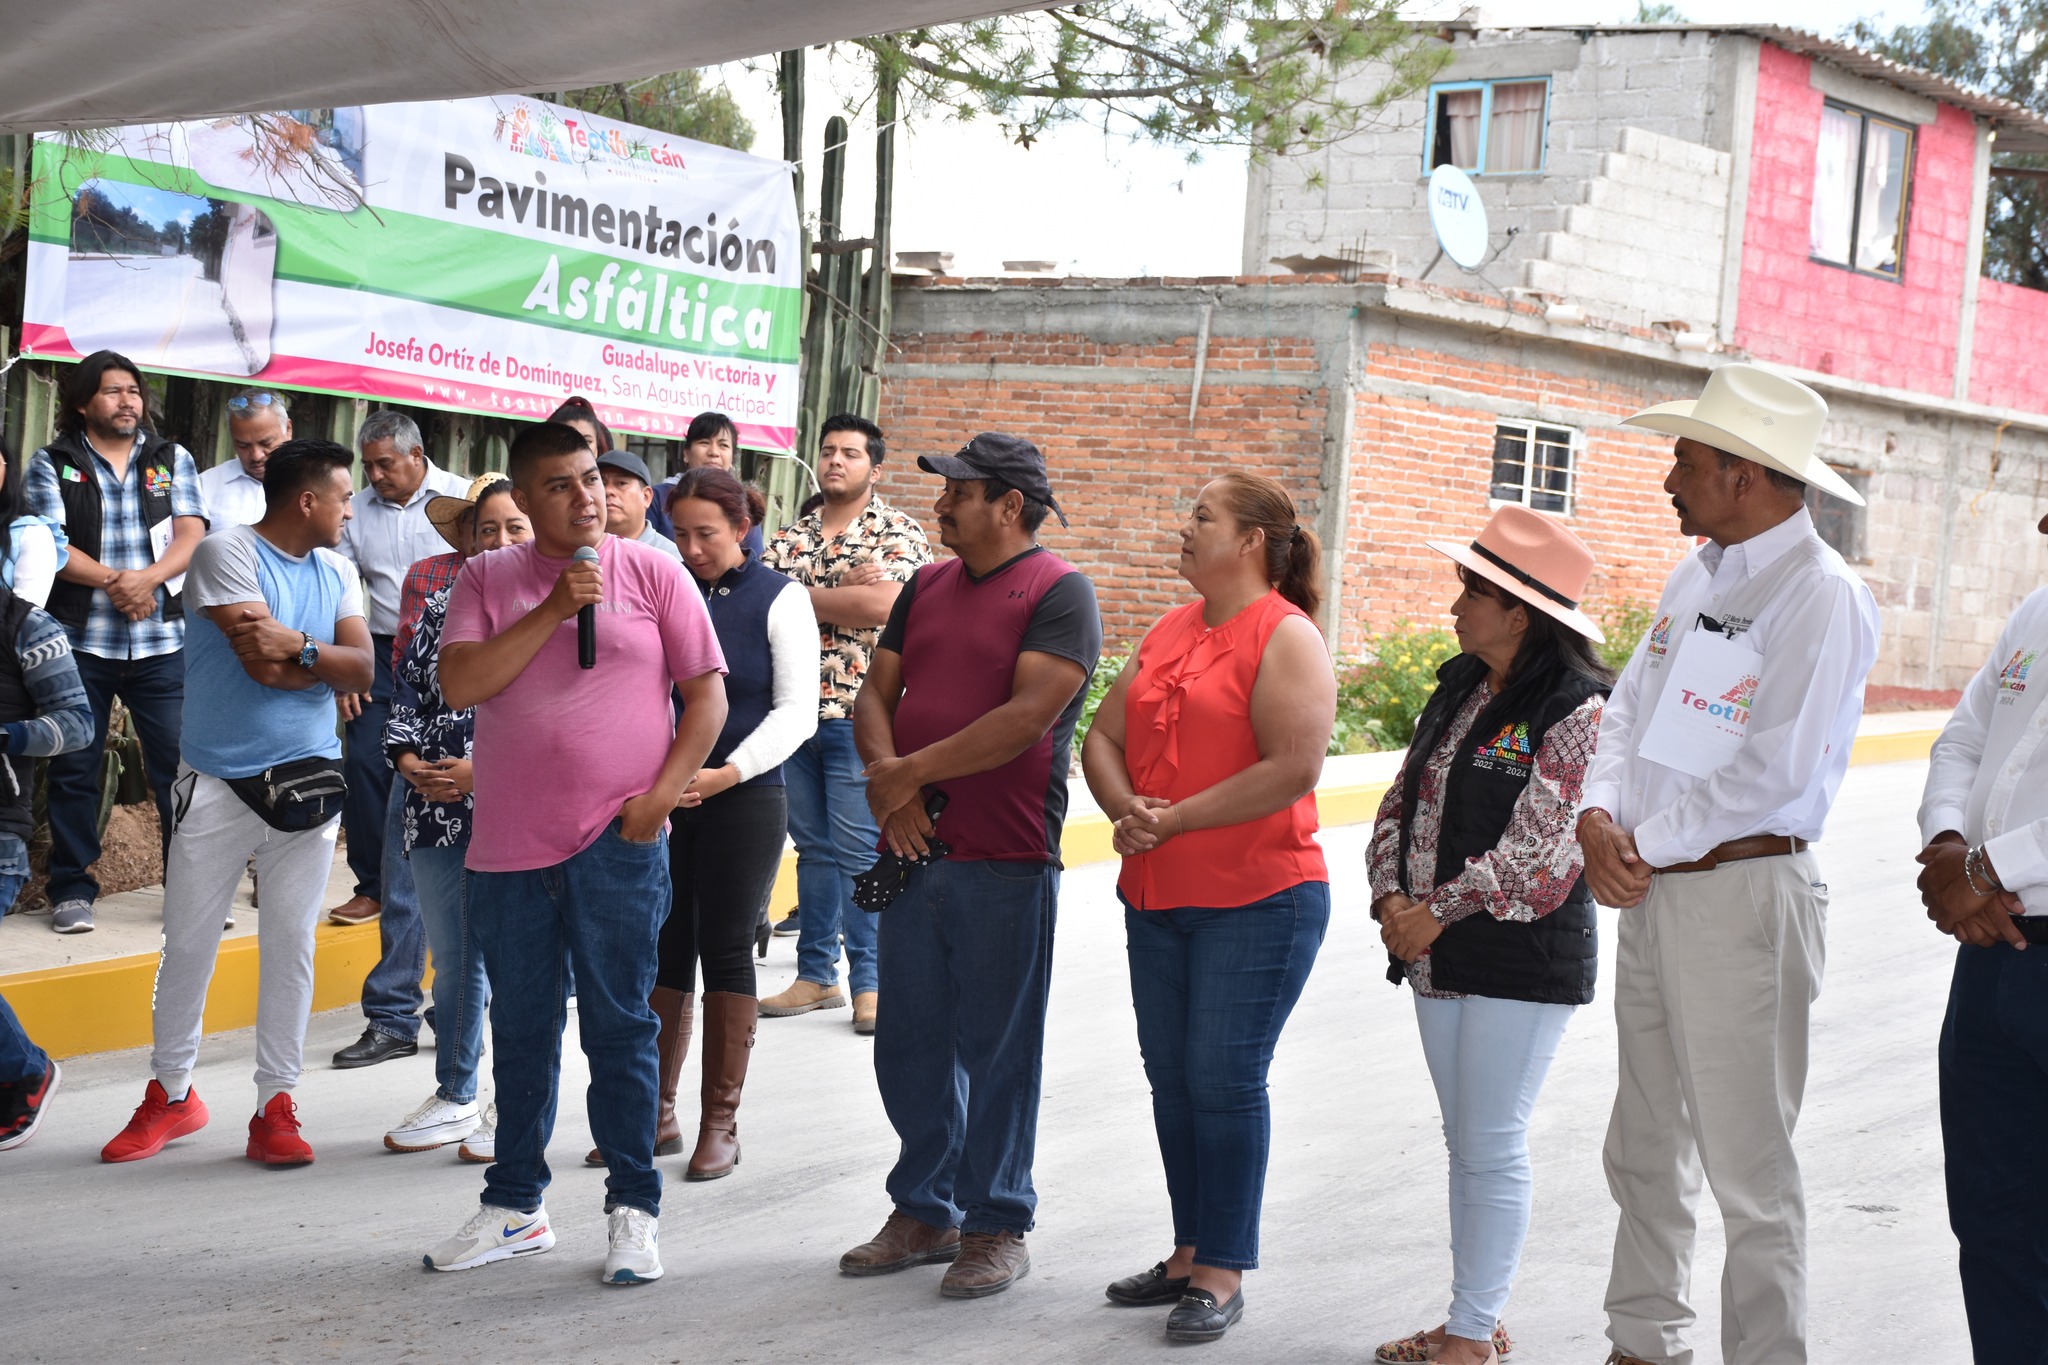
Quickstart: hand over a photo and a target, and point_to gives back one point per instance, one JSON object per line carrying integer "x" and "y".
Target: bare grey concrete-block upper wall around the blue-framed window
{"x": 1371, "y": 187}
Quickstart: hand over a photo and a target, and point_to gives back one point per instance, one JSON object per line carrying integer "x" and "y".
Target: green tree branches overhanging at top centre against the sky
{"x": 1261, "y": 75}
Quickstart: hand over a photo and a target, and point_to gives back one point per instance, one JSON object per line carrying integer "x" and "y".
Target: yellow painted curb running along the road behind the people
{"x": 105, "y": 1006}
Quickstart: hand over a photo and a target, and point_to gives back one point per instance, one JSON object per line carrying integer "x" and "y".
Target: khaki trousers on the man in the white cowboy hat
{"x": 1715, "y": 977}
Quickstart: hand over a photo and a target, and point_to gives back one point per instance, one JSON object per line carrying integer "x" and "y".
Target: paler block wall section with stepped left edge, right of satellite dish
{"x": 1648, "y": 243}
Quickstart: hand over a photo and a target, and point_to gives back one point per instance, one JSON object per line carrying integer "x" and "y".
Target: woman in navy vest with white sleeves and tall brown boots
{"x": 726, "y": 848}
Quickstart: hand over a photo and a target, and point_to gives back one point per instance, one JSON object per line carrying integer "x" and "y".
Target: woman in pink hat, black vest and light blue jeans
{"x": 1480, "y": 895}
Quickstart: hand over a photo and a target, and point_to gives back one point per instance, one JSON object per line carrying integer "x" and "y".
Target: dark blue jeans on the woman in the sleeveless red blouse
{"x": 1211, "y": 989}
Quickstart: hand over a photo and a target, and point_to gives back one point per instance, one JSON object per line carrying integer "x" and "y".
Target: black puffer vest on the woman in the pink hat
{"x": 1551, "y": 959}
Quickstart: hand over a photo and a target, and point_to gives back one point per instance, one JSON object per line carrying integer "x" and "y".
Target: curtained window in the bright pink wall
{"x": 1861, "y": 179}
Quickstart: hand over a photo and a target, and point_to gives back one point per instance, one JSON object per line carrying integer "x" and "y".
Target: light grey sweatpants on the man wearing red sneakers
{"x": 212, "y": 842}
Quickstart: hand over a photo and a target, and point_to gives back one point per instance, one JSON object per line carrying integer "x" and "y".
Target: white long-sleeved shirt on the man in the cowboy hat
{"x": 1818, "y": 633}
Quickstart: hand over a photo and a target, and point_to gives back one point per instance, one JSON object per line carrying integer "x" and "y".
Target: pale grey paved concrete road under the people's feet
{"x": 204, "y": 1258}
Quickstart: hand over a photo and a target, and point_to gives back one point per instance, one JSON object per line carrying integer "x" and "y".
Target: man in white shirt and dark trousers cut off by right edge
{"x": 1986, "y": 881}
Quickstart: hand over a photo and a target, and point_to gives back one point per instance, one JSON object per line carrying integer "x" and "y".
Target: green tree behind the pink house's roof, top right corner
{"x": 1992, "y": 46}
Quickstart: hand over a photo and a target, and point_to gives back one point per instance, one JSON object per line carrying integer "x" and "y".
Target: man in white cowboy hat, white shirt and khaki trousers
{"x": 1719, "y": 758}
